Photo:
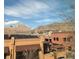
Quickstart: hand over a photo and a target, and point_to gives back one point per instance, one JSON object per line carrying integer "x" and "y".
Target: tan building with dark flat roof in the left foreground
{"x": 14, "y": 47}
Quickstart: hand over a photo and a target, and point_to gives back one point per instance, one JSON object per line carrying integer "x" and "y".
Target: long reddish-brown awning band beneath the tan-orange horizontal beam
{"x": 27, "y": 47}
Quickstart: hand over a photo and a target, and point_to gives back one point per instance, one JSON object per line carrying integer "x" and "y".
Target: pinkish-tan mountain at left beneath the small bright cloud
{"x": 18, "y": 28}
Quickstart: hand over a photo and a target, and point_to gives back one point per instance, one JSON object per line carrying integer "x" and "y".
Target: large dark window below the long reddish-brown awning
{"x": 32, "y": 54}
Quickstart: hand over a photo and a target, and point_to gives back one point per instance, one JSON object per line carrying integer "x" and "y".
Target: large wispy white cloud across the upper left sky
{"x": 26, "y": 9}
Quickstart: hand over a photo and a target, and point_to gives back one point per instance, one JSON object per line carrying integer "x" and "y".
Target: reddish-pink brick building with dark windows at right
{"x": 65, "y": 39}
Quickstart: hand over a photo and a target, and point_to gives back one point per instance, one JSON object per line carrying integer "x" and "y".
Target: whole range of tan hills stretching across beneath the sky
{"x": 20, "y": 28}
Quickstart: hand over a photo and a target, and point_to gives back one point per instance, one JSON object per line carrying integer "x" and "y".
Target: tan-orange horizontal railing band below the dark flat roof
{"x": 8, "y": 42}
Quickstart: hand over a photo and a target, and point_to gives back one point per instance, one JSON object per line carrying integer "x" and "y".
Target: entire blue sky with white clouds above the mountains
{"x": 34, "y": 13}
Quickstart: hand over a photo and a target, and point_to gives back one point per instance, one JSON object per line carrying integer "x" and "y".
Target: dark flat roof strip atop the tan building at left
{"x": 20, "y": 36}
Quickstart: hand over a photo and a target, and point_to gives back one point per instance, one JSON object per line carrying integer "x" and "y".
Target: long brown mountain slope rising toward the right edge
{"x": 61, "y": 26}
